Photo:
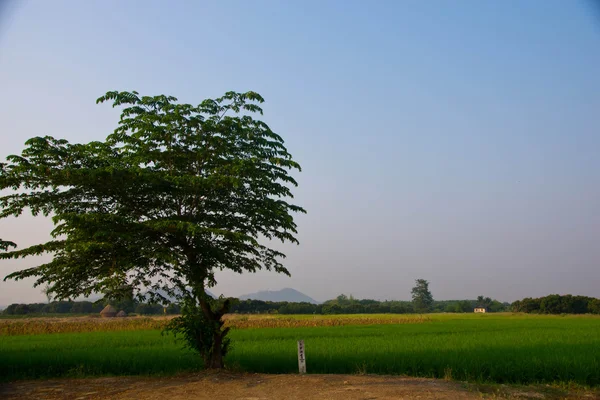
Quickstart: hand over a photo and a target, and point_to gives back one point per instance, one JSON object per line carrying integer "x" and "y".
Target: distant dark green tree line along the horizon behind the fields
{"x": 342, "y": 304}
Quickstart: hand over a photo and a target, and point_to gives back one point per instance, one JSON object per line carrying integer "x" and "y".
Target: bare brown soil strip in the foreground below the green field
{"x": 229, "y": 386}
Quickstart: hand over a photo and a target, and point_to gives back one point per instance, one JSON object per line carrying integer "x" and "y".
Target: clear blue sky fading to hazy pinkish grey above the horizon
{"x": 452, "y": 141}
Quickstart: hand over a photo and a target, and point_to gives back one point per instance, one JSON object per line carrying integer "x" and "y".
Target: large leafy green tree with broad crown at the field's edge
{"x": 174, "y": 194}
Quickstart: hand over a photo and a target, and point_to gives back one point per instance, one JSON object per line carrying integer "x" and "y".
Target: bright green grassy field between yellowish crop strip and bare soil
{"x": 477, "y": 348}
